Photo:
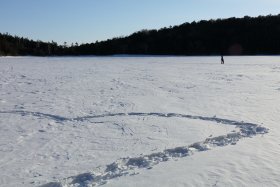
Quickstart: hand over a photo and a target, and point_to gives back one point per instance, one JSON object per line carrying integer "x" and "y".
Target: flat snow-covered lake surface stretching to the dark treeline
{"x": 139, "y": 121}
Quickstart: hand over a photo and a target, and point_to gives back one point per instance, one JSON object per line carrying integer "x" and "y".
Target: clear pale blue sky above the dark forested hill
{"x": 86, "y": 21}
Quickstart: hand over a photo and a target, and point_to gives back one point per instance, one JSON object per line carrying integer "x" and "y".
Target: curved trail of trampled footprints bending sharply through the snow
{"x": 130, "y": 166}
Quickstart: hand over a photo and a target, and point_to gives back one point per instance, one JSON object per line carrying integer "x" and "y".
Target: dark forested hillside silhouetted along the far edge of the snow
{"x": 233, "y": 36}
